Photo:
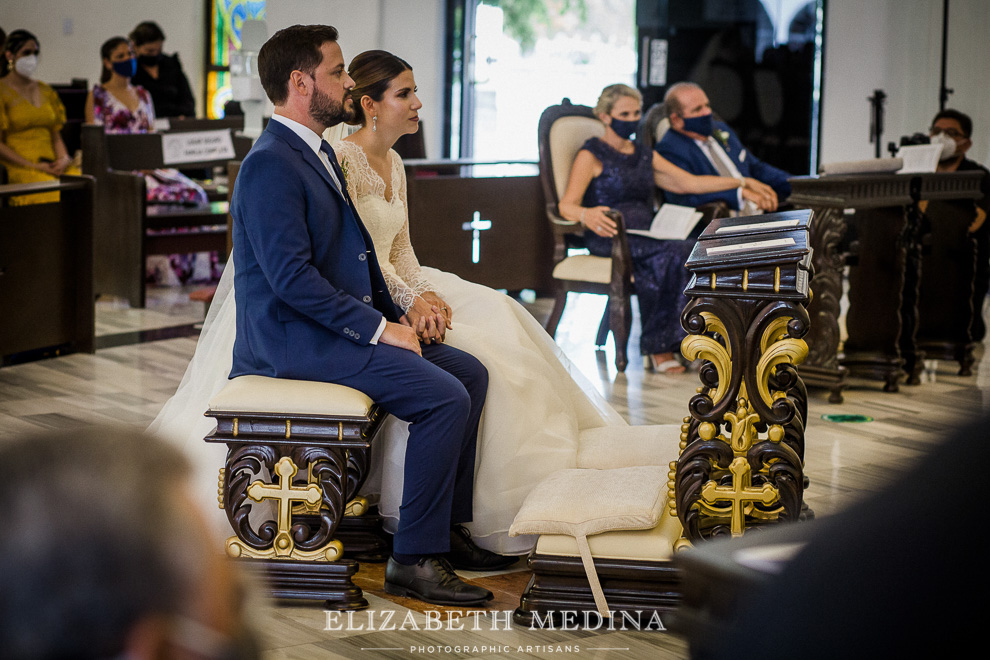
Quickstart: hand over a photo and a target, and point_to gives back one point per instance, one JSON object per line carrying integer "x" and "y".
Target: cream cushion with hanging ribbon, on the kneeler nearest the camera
{"x": 585, "y": 502}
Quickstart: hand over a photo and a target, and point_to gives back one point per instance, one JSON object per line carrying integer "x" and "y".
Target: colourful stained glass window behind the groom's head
{"x": 226, "y": 19}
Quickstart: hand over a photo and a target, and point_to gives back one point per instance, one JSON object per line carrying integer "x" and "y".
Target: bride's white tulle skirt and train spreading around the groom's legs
{"x": 537, "y": 404}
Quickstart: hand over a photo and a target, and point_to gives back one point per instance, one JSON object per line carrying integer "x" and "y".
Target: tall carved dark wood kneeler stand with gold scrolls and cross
{"x": 742, "y": 449}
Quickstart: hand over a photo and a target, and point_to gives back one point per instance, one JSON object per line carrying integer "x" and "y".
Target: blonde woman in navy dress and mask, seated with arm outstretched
{"x": 613, "y": 172}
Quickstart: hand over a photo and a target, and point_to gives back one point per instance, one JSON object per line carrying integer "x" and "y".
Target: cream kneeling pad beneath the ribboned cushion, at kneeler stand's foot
{"x": 655, "y": 544}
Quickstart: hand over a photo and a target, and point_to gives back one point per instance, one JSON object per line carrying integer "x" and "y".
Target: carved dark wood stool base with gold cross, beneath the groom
{"x": 305, "y": 472}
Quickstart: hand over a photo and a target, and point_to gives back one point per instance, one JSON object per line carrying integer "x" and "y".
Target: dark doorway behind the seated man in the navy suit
{"x": 759, "y": 61}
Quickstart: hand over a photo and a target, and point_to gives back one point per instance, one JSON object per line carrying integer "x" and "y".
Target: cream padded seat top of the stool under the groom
{"x": 290, "y": 397}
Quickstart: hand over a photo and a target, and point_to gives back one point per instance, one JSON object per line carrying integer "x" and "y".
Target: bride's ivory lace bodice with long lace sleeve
{"x": 387, "y": 220}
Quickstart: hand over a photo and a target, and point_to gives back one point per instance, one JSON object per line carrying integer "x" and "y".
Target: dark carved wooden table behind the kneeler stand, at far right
{"x": 884, "y": 275}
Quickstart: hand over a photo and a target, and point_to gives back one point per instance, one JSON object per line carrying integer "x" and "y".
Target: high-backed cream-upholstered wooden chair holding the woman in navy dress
{"x": 562, "y": 130}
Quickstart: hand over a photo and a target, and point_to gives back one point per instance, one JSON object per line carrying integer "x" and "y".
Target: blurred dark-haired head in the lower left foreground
{"x": 104, "y": 555}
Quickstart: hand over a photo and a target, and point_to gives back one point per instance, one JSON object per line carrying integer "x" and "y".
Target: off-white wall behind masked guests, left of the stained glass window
{"x": 71, "y": 32}
